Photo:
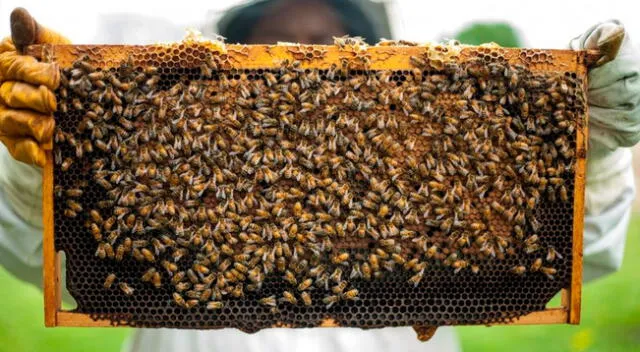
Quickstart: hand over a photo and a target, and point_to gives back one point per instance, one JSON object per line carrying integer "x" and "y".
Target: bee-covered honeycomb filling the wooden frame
{"x": 194, "y": 193}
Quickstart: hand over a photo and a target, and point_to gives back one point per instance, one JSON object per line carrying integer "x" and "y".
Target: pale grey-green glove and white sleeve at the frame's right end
{"x": 614, "y": 125}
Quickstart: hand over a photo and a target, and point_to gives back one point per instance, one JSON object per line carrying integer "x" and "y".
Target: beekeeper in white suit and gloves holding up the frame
{"x": 26, "y": 124}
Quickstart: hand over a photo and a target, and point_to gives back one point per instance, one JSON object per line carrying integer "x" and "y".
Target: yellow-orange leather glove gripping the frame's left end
{"x": 27, "y": 101}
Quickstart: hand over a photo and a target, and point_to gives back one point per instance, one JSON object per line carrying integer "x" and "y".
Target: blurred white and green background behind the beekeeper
{"x": 611, "y": 306}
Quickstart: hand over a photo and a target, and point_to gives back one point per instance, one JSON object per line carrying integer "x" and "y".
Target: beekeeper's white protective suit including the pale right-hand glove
{"x": 614, "y": 99}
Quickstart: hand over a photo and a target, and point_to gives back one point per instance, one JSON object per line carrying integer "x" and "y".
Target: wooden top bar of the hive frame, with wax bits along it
{"x": 316, "y": 56}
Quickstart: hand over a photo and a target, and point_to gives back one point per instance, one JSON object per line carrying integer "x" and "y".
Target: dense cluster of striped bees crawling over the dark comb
{"x": 216, "y": 183}
